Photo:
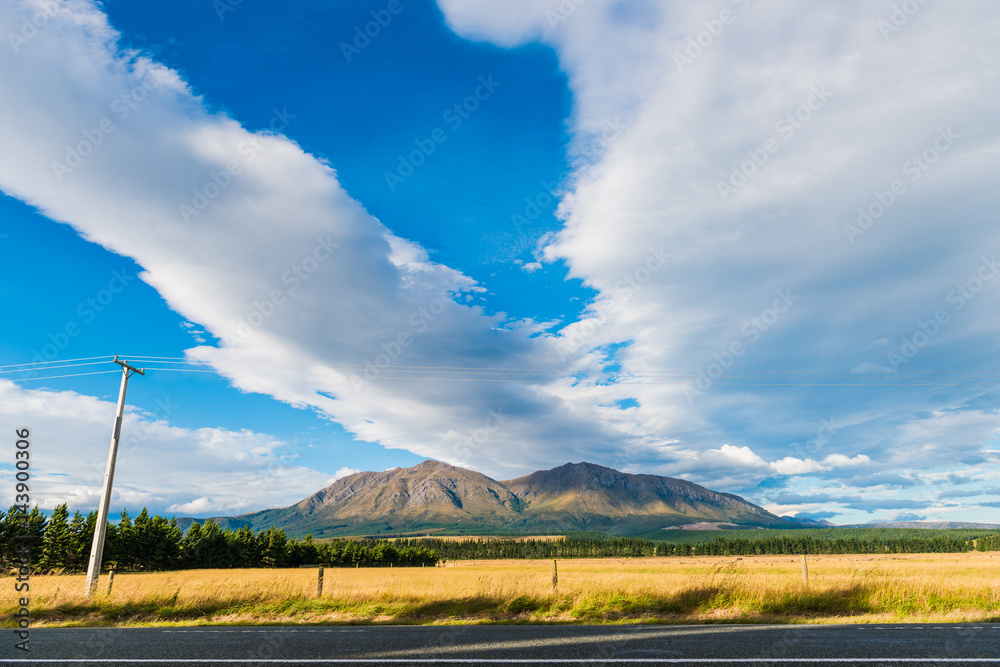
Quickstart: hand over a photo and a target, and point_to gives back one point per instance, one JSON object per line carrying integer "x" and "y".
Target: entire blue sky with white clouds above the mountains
{"x": 749, "y": 244}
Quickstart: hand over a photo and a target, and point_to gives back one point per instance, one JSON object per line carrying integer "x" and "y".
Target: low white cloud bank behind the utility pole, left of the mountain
{"x": 165, "y": 467}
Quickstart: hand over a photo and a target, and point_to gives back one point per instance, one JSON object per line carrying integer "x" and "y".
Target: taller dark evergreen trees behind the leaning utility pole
{"x": 61, "y": 542}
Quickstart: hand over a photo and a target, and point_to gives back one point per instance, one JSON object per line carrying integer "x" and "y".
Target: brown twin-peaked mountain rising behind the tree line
{"x": 434, "y": 496}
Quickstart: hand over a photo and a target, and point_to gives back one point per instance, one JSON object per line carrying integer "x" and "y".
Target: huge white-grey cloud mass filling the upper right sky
{"x": 861, "y": 106}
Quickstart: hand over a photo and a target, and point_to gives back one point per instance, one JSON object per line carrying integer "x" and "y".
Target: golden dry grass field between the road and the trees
{"x": 760, "y": 589}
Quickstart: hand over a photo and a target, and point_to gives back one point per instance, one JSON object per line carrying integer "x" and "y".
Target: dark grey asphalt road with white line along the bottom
{"x": 514, "y": 644}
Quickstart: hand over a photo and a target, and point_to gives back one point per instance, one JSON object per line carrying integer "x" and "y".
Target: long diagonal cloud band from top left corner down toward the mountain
{"x": 256, "y": 243}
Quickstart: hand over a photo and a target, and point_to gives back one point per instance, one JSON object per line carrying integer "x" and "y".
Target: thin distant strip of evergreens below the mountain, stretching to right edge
{"x": 623, "y": 547}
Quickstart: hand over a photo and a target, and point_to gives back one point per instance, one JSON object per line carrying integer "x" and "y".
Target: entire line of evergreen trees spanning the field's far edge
{"x": 62, "y": 542}
